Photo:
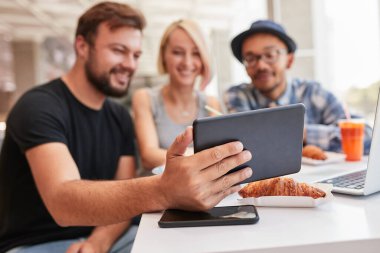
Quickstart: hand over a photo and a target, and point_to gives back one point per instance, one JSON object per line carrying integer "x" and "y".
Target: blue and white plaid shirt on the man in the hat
{"x": 323, "y": 110}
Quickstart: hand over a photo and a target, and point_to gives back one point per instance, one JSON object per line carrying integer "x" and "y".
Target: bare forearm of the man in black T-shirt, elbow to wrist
{"x": 95, "y": 203}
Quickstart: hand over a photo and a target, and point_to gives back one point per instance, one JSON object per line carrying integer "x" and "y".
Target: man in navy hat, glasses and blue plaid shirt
{"x": 267, "y": 52}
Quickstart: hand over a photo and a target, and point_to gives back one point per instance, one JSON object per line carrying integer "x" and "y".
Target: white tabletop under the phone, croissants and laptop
{"x": 347, "y": 224}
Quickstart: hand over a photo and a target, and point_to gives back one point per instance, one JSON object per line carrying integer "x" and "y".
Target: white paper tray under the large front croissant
{"x": 291, "y": 201}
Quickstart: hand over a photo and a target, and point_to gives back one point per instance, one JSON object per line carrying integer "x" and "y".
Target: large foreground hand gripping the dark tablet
{"x": 198, "y": 182}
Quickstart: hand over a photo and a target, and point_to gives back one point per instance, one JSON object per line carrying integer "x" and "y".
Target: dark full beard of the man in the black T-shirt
{"x": 102, "y": 82}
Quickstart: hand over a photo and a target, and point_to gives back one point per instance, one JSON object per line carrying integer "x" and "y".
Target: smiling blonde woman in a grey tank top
{"x": 161, "y": 113}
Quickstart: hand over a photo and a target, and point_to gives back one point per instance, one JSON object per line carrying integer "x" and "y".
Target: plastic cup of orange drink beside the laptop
{"x": 352, "y": 132}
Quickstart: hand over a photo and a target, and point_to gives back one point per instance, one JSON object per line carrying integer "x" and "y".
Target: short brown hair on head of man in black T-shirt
{"x": 116, "y": 15}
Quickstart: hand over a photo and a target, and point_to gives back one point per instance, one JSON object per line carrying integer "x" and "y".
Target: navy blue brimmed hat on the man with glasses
{"x": 262, "y": 26}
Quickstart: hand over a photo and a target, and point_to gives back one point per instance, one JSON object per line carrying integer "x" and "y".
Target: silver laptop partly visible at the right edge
{"x": 366, "y": 181}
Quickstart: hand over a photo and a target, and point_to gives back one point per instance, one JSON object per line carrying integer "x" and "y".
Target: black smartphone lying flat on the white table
{"x": 217, "y": 216}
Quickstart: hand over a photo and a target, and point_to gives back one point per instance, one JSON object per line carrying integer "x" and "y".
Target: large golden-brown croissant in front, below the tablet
{"x": 280, "y": 187}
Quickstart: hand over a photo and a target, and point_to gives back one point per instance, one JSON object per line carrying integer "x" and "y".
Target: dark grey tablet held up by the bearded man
{"x": 274, "y": 136}
